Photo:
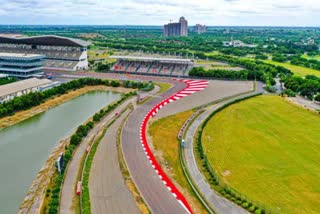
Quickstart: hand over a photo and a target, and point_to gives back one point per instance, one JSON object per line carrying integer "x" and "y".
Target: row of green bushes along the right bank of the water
{"x": 75, "y": 140}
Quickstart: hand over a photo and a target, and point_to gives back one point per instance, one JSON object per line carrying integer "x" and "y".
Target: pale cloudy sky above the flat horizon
{"x": 159, "y": 12}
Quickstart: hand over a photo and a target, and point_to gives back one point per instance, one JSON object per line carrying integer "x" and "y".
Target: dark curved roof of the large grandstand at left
{"x": 50, "y": 40}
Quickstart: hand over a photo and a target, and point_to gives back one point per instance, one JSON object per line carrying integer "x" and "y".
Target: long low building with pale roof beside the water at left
{"x": 16, "y": 89}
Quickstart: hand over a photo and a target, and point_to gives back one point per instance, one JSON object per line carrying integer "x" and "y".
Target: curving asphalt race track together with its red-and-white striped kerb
{"x": 154, "y": 185}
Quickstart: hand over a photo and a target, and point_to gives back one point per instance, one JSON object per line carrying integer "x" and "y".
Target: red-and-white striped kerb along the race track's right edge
{"x": 193, "y": 86}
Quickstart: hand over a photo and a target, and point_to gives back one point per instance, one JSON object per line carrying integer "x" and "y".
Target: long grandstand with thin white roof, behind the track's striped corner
{"x": 152, "y": 66}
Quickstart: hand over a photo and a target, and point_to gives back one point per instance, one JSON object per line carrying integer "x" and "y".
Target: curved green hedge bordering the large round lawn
{"x": 214, "y": 180}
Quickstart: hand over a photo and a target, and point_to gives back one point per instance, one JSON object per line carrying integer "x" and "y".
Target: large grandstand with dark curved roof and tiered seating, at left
{"x": 61, "y": 53}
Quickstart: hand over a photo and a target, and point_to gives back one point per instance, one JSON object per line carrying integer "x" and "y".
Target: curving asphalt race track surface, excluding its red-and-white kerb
{"x": 155, "y": 193}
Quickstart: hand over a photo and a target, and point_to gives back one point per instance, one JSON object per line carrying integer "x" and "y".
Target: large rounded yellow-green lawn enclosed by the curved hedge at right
{"x": 269, "y": 150}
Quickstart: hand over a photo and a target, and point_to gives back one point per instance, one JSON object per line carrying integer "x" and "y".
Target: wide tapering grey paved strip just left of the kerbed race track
{"x": 108, "y": 191}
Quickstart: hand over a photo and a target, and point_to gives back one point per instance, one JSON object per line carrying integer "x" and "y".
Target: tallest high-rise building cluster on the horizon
{"x": 176, "y": 29}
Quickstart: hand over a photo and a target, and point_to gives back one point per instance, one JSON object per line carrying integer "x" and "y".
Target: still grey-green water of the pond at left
{"x": 25, "y": 146}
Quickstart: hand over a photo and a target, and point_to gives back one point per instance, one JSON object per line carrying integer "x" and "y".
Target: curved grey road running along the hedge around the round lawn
{"x": 220, "y": 204}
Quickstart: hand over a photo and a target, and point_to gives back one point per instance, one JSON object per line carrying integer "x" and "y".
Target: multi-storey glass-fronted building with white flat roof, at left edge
{"x": 21, "y": 65}
